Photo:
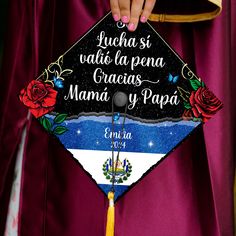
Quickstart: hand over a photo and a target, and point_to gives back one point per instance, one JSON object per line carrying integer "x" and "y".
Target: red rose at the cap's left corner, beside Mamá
{"x": 39, "y": 97}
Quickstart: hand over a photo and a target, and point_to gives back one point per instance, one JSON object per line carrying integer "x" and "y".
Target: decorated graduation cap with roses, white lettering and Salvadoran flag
{"x": 120, "y": 102}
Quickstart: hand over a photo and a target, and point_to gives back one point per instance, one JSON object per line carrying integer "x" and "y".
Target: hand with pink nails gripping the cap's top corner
{"x": 129, "y": 11}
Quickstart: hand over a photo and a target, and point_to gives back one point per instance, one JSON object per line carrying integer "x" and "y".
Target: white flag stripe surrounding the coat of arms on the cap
{"x": 92, "y": 161}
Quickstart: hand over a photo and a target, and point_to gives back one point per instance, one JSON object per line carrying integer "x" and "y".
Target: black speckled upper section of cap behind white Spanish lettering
{"x": 156, "y": 83}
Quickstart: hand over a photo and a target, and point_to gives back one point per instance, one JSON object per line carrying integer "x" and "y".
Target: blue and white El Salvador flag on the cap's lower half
{"x": 143, "y": 146}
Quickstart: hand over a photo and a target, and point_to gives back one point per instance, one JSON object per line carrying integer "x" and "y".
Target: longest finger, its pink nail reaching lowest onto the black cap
{"x": 136, "y": 9}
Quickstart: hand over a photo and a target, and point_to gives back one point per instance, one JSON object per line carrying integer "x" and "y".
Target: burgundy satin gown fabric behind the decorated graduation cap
{"x": 190, "y": 193}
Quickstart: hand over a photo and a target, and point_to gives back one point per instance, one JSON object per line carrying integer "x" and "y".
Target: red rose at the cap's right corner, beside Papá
{"x": 204, "y": 103}
